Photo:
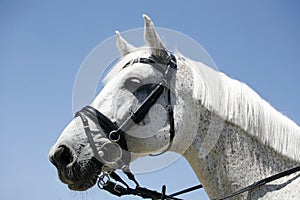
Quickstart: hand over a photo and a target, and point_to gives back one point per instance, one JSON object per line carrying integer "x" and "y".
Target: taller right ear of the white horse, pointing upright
{"x": 152, "y": 38}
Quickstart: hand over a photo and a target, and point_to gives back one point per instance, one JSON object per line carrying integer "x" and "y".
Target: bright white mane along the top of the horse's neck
{"x": 237, "y": 103}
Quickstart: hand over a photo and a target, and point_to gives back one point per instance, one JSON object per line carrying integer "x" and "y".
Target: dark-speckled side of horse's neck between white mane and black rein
{"x": 223, "y": 155}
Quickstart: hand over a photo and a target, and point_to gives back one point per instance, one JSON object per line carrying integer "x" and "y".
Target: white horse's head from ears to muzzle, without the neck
{"x": 131, "y": 117}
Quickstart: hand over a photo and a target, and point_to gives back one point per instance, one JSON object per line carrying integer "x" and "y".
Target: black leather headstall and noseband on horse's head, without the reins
{"x": 117, "y": 133}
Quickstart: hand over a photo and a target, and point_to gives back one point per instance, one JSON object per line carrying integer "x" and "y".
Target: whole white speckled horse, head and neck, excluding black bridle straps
{"x": 230, "y": 136}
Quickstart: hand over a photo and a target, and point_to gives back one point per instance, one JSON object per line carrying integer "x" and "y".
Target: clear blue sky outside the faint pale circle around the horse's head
{"x": 43, "y": 43}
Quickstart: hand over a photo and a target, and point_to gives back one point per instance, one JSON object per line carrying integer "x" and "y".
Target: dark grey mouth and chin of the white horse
{"x": 81, "y": 175}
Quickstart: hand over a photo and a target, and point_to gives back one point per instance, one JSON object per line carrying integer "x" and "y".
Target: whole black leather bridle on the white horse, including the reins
{"x": 116, "y": 134}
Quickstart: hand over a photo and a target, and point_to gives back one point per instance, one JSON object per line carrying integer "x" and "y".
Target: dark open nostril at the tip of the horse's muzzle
{"x": 62, "y": 157}
